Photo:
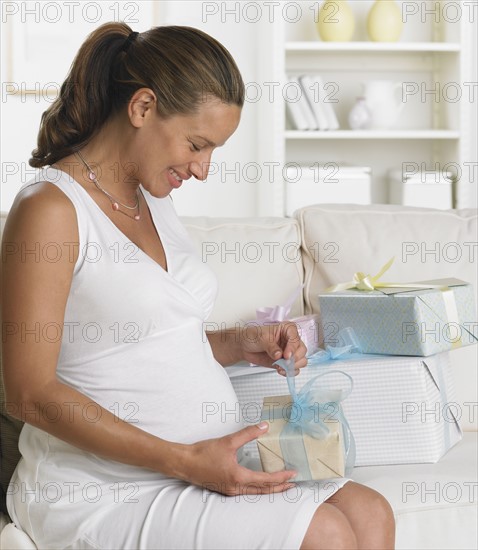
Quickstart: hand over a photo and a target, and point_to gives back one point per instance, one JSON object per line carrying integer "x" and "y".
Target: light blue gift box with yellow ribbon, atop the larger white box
{"x": 407, "y": 320}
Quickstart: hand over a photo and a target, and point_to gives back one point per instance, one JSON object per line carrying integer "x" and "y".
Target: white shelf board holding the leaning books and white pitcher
{"x": 373, "y": 134}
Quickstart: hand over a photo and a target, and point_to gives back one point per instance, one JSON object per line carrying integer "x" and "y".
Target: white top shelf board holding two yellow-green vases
{"x": 399, "y": 47}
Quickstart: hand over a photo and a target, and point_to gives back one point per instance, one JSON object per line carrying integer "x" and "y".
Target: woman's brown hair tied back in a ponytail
{"x": 182, "y": 65}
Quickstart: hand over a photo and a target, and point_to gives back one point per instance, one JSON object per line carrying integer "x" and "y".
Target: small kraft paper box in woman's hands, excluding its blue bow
{"x": 325, "y": 457}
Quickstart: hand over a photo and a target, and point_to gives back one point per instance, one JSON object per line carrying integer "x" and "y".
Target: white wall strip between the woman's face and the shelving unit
{"x": 224, "y": 193}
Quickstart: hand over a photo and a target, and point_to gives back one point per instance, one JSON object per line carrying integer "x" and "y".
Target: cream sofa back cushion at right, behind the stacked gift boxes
{"x": 338, "y": 240}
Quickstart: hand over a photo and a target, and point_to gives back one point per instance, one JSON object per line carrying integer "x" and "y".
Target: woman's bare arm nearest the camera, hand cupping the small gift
{"x": 34, "y": 292}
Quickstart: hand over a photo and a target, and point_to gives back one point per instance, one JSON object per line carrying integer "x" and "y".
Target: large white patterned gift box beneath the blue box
{"x": 402, "y": 410}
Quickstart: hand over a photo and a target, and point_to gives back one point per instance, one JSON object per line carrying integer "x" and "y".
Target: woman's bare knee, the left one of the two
{"x": 329, "y": 529}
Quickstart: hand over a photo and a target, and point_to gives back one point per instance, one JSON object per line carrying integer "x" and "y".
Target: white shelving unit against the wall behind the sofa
{"x": 435, "y": 130}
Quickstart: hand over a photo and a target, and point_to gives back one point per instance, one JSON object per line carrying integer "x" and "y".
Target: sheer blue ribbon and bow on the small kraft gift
{"x": 306, "y": 416}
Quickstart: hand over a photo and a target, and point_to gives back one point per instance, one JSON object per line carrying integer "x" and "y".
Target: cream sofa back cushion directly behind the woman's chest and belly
{"x": 257, "y": 262}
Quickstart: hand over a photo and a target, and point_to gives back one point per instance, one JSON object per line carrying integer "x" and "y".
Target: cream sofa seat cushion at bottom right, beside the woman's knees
{"x": 434, "y": 504}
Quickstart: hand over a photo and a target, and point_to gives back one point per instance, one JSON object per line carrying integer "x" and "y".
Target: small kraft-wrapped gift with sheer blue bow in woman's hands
{"x": 308, "y": 431}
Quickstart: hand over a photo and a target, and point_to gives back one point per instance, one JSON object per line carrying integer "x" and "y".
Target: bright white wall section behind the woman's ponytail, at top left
{"x": 39, "y": 41}
